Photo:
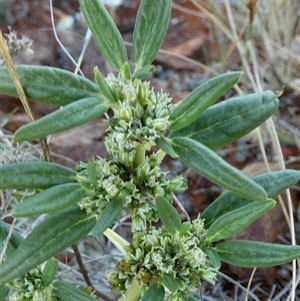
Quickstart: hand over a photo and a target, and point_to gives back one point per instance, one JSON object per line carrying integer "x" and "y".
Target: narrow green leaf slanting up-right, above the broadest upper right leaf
{"x": 201, "y": 98}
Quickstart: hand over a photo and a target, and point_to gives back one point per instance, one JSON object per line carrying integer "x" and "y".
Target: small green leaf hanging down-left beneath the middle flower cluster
{"x": 109, "y": 215}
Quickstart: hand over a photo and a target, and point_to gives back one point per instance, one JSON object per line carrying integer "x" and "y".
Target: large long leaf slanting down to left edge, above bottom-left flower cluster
{"x": 52, "y": 236}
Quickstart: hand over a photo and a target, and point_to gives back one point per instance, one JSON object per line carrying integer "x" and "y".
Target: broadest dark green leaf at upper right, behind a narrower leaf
{"x": 230, "y": 120}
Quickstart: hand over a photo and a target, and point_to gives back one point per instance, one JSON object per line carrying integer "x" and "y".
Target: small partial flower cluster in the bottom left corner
{"x": 30, "y": 287}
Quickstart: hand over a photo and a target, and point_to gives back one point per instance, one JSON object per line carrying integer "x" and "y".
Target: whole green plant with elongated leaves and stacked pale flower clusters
{"x": 161, "y": 263}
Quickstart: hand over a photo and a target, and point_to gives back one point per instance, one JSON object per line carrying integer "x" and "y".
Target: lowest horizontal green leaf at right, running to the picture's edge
{"x": 246, "y": 253}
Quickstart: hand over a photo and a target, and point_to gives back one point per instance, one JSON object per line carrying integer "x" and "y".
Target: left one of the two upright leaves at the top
{"x": 105, "y": 32}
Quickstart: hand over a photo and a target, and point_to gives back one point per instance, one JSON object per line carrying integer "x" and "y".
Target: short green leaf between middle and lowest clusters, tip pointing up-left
{"x": 168, "y": 214}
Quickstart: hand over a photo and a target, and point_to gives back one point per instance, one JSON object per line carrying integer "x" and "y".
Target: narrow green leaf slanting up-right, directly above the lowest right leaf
{"x": 238, "y": 219}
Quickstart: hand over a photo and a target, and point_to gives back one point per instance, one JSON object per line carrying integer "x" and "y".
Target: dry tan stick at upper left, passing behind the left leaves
{"x": 13, "y": 73}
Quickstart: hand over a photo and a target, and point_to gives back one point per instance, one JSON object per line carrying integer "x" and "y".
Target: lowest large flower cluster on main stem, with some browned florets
{"x": 156, "y": 255}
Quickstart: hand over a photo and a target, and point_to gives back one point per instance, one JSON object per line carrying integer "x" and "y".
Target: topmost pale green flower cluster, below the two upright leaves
{"x": 141, "y": 117}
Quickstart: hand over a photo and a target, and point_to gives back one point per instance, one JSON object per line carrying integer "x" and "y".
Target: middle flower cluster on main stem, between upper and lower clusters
{"x": 137, "y": 187}
